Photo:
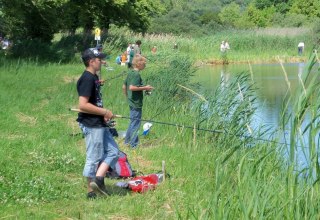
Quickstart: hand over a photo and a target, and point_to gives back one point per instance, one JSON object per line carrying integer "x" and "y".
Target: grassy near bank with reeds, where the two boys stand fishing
{"x": 214, "y": 175}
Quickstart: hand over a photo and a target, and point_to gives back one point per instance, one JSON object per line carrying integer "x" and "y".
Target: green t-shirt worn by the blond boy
{"x": 135, "y": 98}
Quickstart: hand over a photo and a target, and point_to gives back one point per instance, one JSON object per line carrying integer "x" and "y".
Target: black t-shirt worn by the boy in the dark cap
{"x": 88, "y": 85}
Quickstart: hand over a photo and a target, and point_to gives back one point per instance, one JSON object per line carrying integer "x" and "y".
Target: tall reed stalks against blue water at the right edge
{"x": 303, "y": 119}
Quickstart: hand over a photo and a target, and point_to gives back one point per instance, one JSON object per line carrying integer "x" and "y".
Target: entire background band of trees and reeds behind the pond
{"x": 257, "y": 31}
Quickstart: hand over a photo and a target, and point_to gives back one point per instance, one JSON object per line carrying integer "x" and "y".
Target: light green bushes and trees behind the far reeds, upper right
{"x": 235, "y": 14}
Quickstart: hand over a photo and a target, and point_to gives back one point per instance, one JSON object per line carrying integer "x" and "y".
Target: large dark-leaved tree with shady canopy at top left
{"x": 42, "y": 18}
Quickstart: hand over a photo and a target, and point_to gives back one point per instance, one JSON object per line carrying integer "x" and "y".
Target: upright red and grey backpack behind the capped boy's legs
{"x": 122, "y": 168}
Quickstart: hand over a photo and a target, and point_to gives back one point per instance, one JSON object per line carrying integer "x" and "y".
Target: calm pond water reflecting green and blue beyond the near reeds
{"x": 271, "y": 83}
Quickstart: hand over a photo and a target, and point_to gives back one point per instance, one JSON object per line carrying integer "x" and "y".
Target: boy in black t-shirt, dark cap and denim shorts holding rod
{"x": 101, "y": 150}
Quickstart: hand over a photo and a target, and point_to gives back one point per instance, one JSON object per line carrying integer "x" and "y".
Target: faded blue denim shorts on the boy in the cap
{"x": 100, "y": 147}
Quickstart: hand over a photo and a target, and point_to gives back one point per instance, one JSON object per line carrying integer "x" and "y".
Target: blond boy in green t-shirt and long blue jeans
{"x": 133, "y": 89}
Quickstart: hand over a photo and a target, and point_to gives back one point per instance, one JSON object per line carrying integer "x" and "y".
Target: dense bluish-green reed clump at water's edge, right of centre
{"x": 230, "y": 110}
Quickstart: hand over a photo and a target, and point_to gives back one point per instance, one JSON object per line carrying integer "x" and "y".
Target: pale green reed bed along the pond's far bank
{"x": 259, "y": 46}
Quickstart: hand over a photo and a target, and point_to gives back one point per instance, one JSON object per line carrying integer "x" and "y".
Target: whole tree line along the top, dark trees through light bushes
{"x": 41, "y": 19}
